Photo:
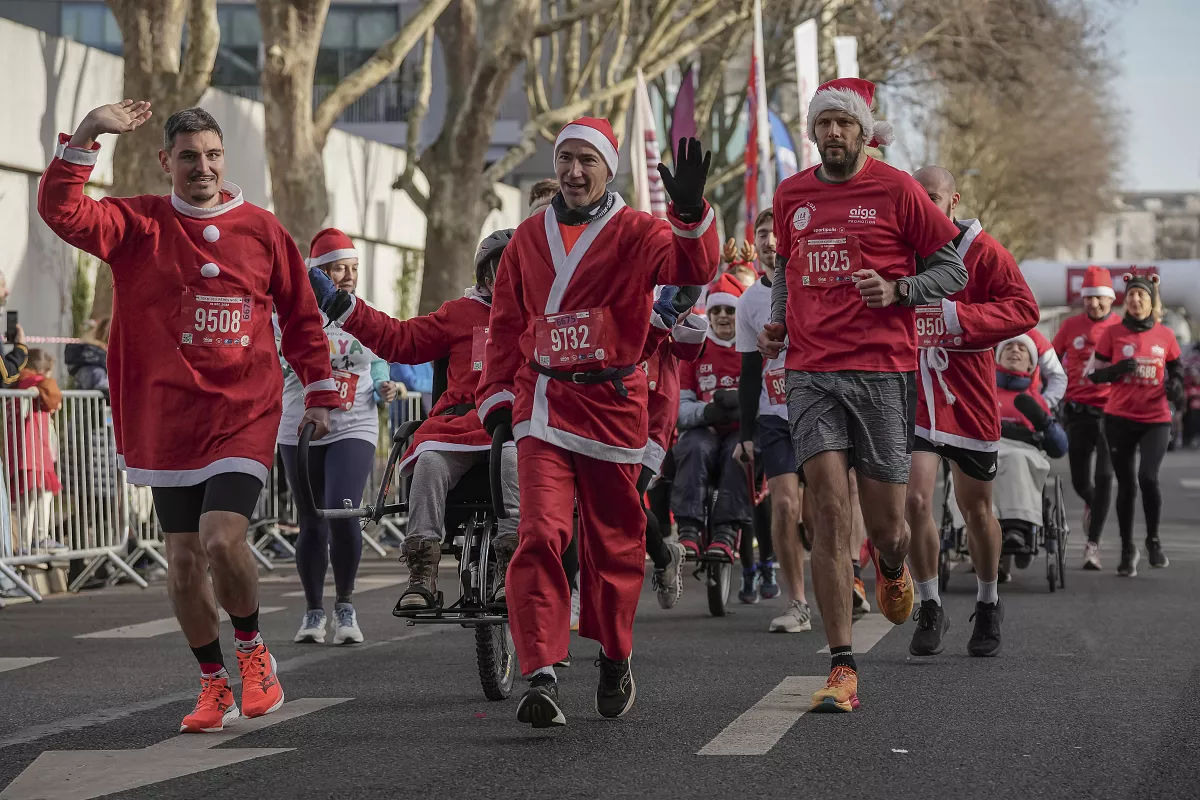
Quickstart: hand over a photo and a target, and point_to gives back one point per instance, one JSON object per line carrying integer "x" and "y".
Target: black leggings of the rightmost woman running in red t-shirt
{"x": 1126, "y": 438}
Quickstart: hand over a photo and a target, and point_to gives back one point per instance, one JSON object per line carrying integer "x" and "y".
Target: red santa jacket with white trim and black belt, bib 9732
{"x": 610, "y": 274}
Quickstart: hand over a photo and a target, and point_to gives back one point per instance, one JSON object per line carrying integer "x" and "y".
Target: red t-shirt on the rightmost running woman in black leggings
{"x": 1141, "y": 395}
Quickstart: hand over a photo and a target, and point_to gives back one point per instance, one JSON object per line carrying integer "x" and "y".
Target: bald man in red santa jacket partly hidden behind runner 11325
{"x": 957, "y": 418}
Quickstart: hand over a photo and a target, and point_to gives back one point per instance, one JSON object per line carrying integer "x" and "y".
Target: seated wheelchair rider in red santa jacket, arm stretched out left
{"x": 453, "y": 441}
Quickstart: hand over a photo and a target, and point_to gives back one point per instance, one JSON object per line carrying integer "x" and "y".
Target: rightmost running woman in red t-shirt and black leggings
{"x": 1141, "y": 358}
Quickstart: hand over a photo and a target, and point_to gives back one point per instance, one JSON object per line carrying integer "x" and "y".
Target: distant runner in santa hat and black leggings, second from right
{"x": 1091, "y": 471}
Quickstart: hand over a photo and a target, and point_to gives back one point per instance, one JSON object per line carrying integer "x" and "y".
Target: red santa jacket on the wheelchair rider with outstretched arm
{"x": 457, "y": 332}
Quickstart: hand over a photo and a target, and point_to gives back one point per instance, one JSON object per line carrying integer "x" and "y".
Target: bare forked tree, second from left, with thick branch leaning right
{"x": 298, "y": 133}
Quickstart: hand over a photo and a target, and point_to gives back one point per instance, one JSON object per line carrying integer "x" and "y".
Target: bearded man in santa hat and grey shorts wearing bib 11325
{"x": 848, "y": 233}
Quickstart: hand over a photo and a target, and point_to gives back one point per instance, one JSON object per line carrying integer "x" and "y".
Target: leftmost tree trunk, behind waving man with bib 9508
{"x": 157, "y": 68}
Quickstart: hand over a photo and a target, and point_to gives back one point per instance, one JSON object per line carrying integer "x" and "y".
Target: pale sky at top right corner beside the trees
{"x": 1157, "y": 47}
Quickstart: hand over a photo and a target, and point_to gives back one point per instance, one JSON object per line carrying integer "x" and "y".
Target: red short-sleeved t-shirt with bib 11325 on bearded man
{"x": 878, "y": 220}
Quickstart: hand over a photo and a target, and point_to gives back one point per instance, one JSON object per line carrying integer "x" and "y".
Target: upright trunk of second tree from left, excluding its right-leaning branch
{"x": 292, "y": 35}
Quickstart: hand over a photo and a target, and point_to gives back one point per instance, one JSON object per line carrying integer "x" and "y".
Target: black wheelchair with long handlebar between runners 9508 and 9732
{"x": 473, "y": 509}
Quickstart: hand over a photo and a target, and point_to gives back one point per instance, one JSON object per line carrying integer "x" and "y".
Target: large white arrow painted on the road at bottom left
{"x": 85, "y": 774}
